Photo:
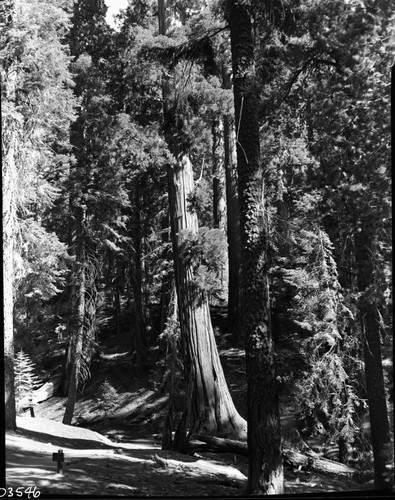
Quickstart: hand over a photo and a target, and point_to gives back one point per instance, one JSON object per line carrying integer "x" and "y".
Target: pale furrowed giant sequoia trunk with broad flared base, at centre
{"x": 209, "y": 406}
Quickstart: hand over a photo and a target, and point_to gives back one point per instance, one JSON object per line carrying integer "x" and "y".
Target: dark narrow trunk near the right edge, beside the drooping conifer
{"x": 370, "y": 318}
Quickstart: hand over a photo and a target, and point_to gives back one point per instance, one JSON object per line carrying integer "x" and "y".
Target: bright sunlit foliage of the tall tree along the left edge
{"x": 38, "y": 109}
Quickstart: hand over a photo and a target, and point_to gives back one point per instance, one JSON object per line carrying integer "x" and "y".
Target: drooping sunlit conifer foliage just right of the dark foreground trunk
{"x": 328, "y": 392}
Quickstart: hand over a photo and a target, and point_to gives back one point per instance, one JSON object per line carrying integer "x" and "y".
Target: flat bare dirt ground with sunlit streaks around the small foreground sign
{"x": 94, "y": 465}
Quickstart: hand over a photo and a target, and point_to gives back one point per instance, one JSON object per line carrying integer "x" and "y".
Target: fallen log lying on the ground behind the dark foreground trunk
{"x": 309, "y": 460}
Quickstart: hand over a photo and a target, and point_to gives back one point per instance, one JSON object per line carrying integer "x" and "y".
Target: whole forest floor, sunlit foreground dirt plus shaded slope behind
{"x": 118, "y": 452}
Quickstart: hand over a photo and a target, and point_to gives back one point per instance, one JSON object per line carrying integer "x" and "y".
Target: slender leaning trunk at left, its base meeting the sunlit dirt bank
{"x": 77, "y": 338}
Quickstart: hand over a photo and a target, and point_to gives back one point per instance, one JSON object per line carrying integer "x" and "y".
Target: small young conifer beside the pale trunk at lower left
{"x": 26, "y": 381}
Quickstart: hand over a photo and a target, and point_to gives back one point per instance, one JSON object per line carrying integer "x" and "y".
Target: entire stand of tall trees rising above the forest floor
{"x": 206, "y": 154}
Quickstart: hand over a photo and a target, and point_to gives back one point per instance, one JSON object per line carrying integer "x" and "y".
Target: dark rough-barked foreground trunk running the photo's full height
{"x": 264, "y": 434}
